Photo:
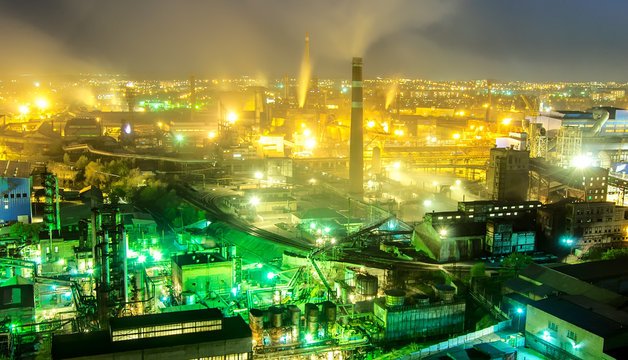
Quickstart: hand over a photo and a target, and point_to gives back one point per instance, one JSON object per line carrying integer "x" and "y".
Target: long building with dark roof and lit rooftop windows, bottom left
{"x": 197, "y": 334}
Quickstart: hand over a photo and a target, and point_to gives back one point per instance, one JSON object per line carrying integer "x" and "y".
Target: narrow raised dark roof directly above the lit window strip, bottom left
{"x": 131, "y": 322}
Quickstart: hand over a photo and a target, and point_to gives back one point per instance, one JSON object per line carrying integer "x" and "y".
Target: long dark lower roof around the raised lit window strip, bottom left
{"x": 99, "y": 342}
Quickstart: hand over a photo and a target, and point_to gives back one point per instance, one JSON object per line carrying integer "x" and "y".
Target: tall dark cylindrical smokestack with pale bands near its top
{"x": 356, "y": 161}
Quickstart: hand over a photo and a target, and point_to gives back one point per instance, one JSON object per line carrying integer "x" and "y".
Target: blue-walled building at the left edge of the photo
{"x": 15, "y": 191}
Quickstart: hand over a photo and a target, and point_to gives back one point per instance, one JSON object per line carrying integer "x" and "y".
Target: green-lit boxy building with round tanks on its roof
{"x": 409, "y": 318}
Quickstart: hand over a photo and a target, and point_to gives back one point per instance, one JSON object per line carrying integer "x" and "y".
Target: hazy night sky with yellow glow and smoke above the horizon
{"x": 434, "y": 39}
